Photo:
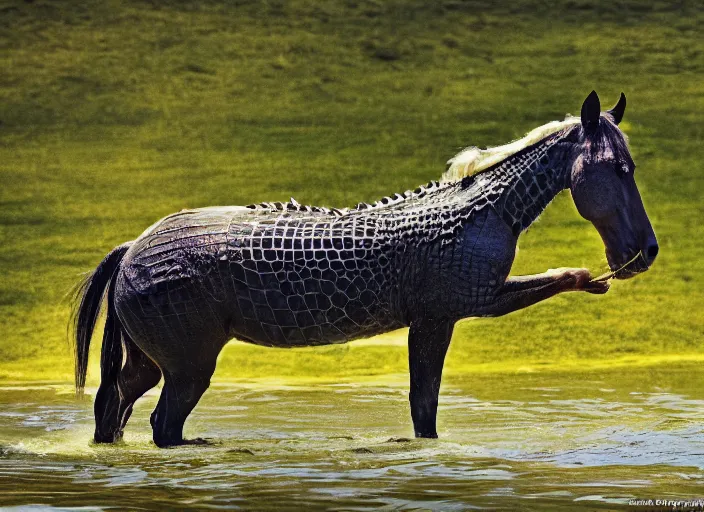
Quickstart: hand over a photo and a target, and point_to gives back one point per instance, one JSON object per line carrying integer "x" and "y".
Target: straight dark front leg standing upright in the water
{"x": 428, "y": 341}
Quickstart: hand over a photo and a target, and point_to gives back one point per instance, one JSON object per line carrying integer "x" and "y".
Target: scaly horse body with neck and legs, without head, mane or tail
{"x": 288, "y": 275}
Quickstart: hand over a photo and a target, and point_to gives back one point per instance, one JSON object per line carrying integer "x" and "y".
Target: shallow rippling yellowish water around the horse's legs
{"x": 589, "y": 441}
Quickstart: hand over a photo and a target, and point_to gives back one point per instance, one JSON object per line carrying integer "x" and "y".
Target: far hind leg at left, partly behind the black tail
{"x": 120, "y": 388}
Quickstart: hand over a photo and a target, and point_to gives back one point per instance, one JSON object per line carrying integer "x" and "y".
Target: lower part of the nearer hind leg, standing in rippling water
{"x": 179, "y": 396}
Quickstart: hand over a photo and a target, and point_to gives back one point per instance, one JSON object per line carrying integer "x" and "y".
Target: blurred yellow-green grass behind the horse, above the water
{"x": 115, "y": 114}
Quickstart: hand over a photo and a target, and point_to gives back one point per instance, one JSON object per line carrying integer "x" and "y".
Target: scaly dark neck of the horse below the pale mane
{"x": 525, "y": 183}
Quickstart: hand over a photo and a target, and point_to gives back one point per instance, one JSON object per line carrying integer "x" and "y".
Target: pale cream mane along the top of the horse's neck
{"x": 471, "y": 160}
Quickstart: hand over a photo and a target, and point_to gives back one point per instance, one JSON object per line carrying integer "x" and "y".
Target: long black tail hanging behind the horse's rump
{"x": 85, "y": 308}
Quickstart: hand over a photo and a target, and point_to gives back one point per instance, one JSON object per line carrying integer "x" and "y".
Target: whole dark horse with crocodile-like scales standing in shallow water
{"x": 286, "y": 275}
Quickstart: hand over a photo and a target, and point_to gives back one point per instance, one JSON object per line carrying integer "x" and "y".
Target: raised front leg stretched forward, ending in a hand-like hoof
{"x": 521, "y": 292}
